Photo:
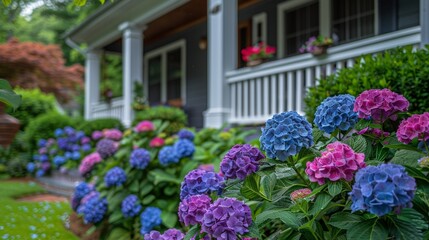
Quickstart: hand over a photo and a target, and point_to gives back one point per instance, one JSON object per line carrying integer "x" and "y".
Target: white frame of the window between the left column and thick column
{"x": 162, "y": 51}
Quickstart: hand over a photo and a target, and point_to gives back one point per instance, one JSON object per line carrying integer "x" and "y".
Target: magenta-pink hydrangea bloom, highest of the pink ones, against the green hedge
{"x": 380, "y": 105}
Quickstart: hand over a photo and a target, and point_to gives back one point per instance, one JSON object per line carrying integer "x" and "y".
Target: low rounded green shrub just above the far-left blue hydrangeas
{"x": 44, "y": 127}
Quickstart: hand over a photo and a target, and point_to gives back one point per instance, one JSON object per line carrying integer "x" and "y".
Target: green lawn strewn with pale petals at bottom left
{"x": 31, "y": 220}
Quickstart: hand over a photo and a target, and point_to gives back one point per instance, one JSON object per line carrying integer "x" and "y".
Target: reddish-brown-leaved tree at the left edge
{"x": 35, "y": 65}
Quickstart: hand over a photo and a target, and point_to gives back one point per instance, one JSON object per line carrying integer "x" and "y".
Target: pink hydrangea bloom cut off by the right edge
{"x": 416, "y": 126}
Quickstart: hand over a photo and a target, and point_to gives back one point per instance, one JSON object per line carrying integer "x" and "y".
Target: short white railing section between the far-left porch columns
{"x": 114, "y": 109}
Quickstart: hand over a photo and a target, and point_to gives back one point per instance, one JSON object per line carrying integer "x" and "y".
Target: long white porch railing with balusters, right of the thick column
{"x": 259, "y": 92}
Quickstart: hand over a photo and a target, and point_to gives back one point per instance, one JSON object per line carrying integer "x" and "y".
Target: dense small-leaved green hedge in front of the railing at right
{"x": 402, "y": 70}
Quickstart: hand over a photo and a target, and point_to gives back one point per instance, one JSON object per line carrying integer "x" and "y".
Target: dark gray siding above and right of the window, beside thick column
{"x": 196, "y": 71}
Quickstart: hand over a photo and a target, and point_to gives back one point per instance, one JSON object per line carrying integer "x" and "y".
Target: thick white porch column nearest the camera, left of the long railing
{"x": 222, "y": 57}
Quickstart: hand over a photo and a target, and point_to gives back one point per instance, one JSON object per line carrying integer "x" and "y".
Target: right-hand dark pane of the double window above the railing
{"x": 352, "y": 19}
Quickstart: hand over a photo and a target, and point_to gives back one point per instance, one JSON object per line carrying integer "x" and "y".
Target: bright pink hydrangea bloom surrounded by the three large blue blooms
{"x": 339, "y": 161}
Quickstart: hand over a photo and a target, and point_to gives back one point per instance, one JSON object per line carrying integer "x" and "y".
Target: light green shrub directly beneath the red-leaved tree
{"x": 34, "y": 103}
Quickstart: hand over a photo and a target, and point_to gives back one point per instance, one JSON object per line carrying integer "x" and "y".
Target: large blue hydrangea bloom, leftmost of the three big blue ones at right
{"x": 285, "y": 134}
